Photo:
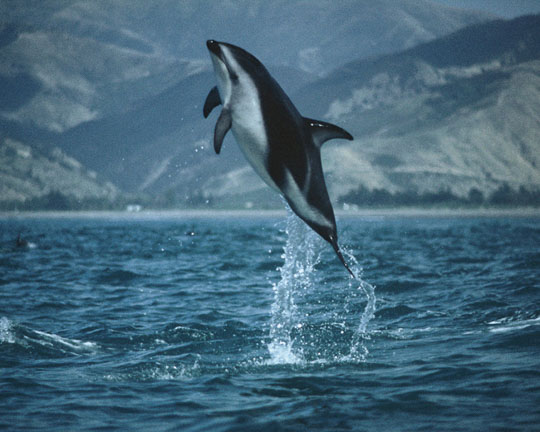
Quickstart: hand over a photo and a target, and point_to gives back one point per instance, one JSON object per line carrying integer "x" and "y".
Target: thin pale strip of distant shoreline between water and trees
{"x": 217, "y": 213}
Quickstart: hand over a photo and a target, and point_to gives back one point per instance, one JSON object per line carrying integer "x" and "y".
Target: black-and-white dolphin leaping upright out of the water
{"x": 282, "y": 146}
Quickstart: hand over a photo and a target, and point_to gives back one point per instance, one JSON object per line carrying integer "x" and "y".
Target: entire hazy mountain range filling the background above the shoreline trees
{"x": 437, "y": 98}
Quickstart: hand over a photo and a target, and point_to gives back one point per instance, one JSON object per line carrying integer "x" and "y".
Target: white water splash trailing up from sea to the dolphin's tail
{"x": 292, "y": 339}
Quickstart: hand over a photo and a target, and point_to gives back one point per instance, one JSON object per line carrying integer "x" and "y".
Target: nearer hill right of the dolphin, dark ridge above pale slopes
{"x": 458, "y": 113}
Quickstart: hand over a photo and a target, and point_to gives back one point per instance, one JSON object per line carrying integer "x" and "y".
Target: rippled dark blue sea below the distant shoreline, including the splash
{"x": 243, "y": 324}
